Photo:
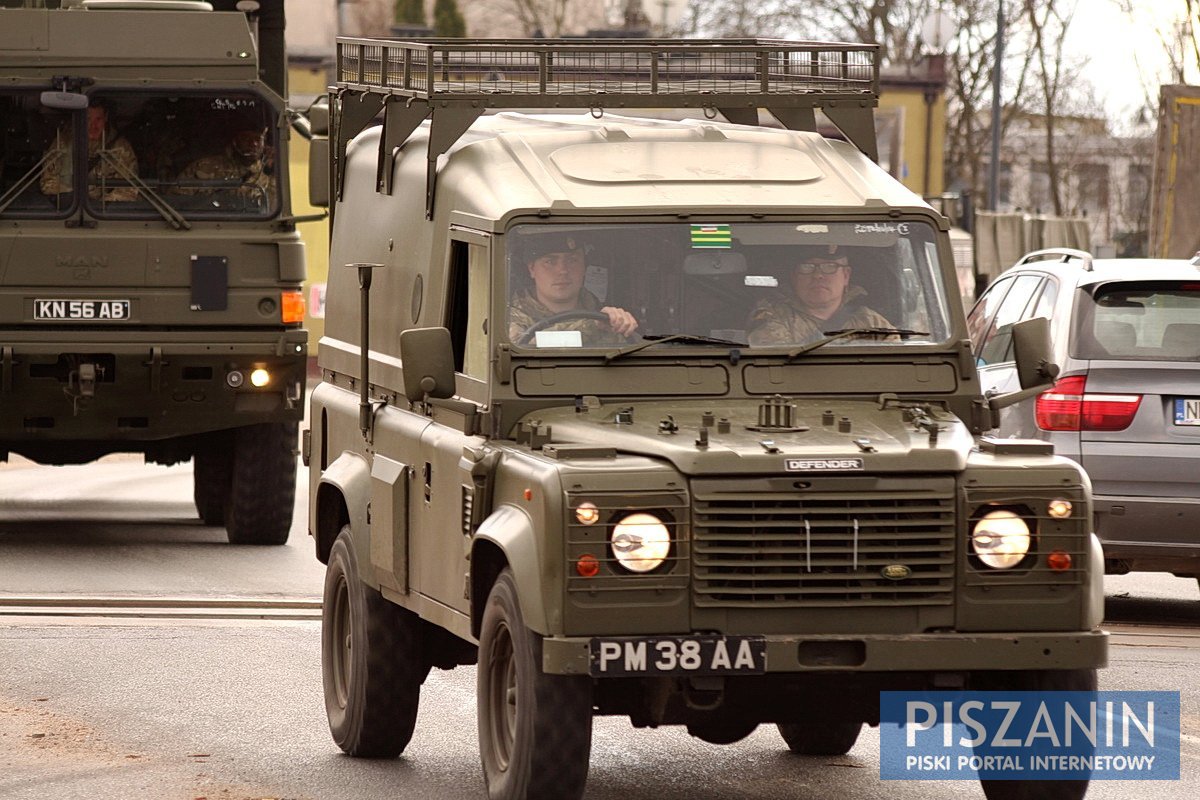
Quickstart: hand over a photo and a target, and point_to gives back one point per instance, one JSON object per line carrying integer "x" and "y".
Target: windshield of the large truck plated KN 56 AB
{"x": 140, "y": 155}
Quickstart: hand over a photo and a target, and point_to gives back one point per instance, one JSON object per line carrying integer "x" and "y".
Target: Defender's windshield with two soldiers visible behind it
{"x": 758, "y": 284}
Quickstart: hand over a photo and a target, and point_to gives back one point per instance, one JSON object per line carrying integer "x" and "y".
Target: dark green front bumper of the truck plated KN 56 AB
{"x": 145, "y": 386}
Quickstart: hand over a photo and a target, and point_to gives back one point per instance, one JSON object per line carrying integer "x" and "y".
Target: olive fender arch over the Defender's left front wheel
{"x": 512, "y": 531}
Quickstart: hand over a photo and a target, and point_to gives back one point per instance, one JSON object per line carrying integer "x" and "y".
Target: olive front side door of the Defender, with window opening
{"x": 445, "y": 488}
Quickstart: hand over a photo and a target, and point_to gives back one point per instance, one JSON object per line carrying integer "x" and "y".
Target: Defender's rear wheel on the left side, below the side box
{"x": 371, "y": 664}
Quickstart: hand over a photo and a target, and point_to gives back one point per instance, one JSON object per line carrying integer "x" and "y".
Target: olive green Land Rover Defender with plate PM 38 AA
{"x": 683, "y": 524}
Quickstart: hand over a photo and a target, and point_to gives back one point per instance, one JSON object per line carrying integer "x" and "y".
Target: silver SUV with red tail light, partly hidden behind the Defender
{"x": 1126, "y": 405}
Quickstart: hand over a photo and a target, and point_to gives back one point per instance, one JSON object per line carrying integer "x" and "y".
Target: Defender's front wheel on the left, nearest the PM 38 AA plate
{"x": 535, "y": 730}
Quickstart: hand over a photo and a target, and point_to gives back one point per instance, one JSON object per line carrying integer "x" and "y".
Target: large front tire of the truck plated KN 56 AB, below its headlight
{"x": 265, "y": 484}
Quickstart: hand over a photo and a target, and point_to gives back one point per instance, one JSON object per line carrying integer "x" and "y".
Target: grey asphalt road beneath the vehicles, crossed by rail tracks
{"x": 111, "y": 708}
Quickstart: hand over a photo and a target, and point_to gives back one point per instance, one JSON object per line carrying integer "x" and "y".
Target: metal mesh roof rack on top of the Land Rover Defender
{"x": 455, "y": 81}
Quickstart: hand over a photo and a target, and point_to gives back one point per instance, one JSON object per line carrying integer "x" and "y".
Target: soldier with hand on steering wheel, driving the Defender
{"x": 557, "y": 264}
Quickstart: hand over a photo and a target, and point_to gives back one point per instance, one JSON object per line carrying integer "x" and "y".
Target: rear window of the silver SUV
{"x": 1139, "y": 322}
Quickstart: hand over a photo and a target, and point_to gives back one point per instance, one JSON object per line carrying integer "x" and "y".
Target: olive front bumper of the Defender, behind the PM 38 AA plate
{"x": 922, "y": 653}
